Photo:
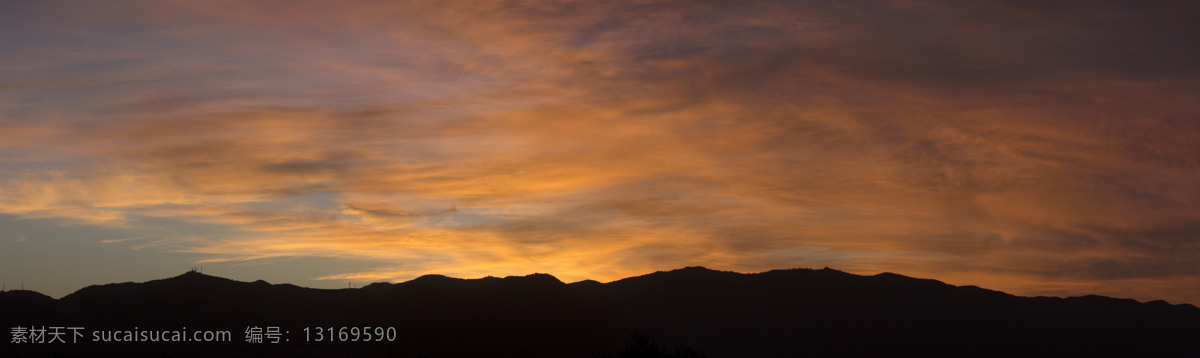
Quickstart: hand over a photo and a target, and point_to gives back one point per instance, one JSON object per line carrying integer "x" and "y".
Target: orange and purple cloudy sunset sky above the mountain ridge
{"x": 1040, "y": 148}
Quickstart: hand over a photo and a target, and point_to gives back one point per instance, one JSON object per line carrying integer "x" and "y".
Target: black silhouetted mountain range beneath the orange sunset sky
{"x": 797, "y": 313}
